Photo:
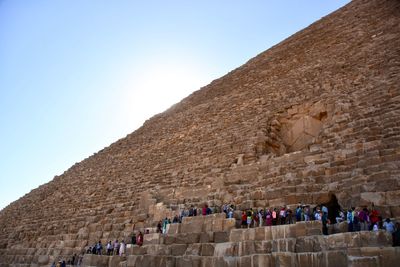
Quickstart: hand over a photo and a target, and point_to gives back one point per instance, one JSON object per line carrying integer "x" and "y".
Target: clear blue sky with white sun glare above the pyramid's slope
{"x": 75, "y": 76}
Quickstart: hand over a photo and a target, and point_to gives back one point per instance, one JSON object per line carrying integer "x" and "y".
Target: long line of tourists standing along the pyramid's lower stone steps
{"x": 361, "y": 219}
